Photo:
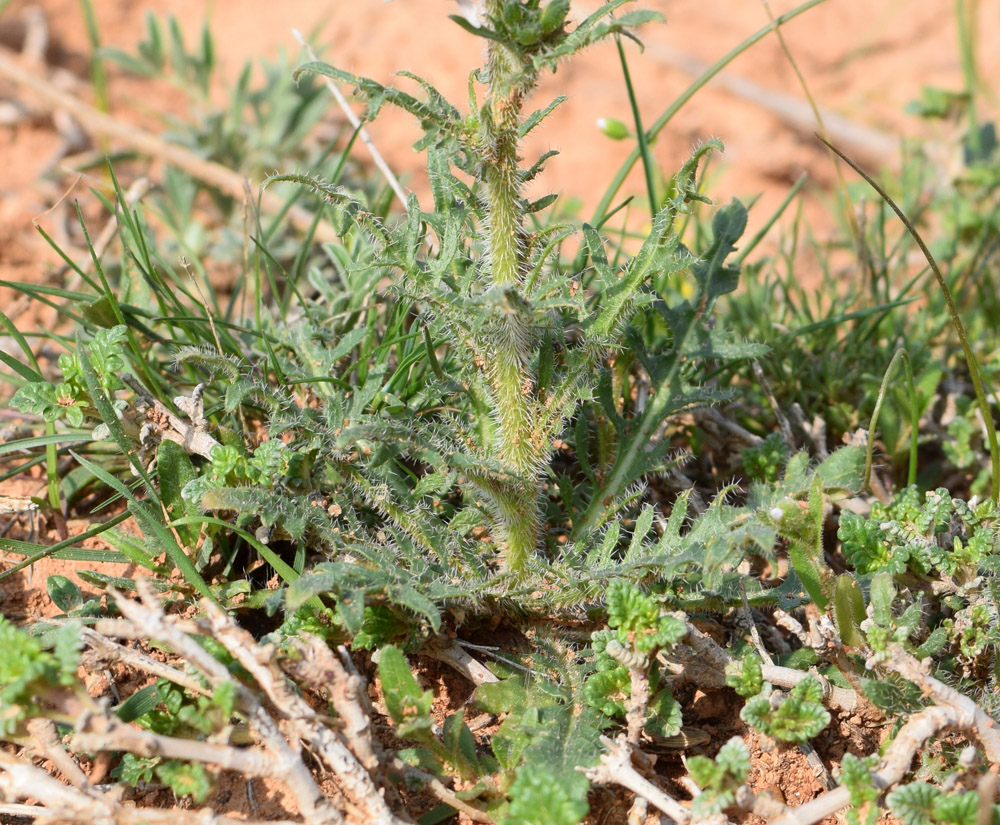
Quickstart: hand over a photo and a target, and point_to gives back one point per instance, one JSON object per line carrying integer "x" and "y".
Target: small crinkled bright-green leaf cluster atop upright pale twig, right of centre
{"x": 639, "y": 629}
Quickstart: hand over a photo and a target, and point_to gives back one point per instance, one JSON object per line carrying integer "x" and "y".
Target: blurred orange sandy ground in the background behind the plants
{"x": 862, "y": 62}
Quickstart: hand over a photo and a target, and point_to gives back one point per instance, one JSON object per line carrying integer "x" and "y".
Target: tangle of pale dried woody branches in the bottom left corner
{"x": 281, "y": 729}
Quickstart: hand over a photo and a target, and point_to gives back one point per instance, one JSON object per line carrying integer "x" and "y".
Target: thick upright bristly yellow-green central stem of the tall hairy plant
{"x": 511, "y": 375}
